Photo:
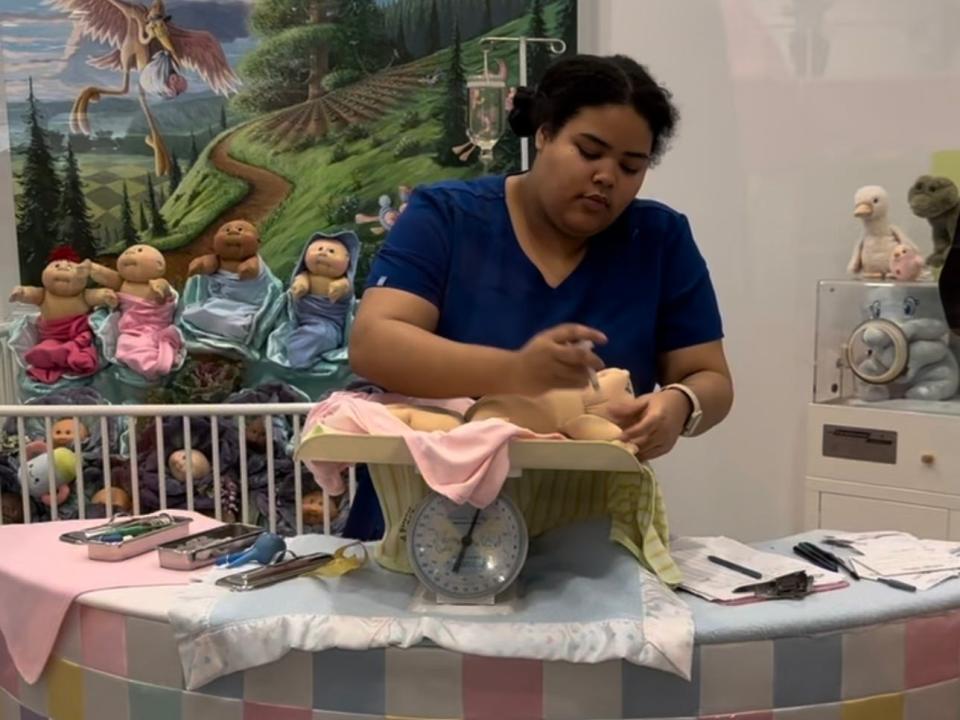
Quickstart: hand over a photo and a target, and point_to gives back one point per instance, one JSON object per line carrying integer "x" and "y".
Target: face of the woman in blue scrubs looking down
{"x": 592, "y": 168}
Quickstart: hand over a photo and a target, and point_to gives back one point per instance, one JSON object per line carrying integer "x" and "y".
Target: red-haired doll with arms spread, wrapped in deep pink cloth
{"x": 66, "y": 344}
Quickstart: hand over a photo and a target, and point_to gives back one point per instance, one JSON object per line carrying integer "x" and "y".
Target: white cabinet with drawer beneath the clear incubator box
{"x": 873, "y": 469}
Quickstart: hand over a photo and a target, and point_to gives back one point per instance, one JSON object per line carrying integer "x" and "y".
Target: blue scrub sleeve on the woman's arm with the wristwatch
{"x": 688, "y": 313}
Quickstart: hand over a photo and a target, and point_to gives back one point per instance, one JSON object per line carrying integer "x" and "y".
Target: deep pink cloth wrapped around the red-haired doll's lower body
{"x": 65, "y": 347}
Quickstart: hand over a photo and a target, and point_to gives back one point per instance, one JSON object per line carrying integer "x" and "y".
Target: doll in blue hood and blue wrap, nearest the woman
{"x": 321, "y": 295}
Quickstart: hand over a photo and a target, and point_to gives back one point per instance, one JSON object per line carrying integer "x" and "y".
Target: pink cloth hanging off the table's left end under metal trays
{"x": 40, "y": 576}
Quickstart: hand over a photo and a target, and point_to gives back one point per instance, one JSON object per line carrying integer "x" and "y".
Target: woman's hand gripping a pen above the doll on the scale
{"x": 557, "y": 358}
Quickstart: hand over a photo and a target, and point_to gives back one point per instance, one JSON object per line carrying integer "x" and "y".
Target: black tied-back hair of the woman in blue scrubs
{"x": 583, "y": 81}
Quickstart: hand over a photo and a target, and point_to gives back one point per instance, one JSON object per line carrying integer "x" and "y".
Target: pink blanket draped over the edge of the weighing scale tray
{"x": 467, "y": 464}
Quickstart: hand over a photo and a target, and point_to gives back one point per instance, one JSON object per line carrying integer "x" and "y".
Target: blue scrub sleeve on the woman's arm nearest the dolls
{"x": 415, "y": 257}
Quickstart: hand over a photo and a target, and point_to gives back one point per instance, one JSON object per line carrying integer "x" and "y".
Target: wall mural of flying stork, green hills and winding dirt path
{"x": 159, "y": 122}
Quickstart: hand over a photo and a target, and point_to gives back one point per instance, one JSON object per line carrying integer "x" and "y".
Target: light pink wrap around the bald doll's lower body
{"x": 149, "y": 343}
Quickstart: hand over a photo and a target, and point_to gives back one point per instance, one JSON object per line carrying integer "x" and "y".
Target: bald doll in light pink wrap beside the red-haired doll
{"x": 149, "y": 343}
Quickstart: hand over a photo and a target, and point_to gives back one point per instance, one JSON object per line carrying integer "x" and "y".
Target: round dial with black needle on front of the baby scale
{"x": 463, "y": 553}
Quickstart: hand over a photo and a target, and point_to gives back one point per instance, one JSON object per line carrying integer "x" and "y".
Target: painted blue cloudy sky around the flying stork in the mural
{"x": 33, "y": 37}
